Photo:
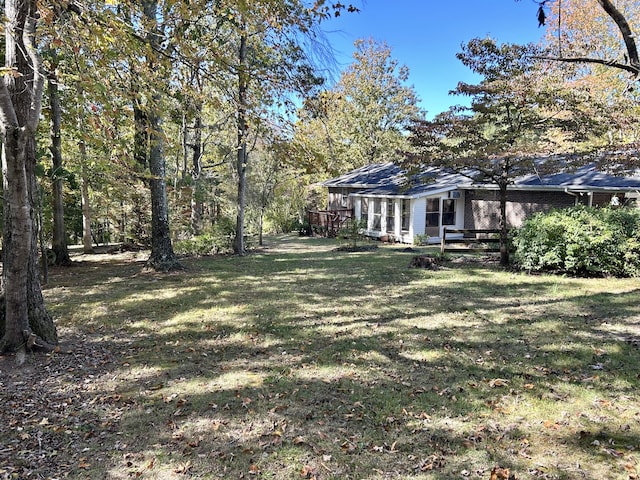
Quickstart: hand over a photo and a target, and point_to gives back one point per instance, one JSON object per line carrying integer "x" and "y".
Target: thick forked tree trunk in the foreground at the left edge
{"x": 21, "y": 90}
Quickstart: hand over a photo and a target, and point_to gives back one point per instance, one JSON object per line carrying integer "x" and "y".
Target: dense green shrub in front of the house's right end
{"x": 581, "y": 240}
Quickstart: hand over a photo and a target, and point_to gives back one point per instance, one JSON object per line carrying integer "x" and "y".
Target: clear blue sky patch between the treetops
{"x": 425, "y": 35}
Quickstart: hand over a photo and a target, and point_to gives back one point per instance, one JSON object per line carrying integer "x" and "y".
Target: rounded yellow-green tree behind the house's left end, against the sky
{"x": 364, "y": 118}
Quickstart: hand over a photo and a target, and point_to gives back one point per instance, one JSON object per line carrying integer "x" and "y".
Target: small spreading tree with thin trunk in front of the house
{"x": 514, "y": 116}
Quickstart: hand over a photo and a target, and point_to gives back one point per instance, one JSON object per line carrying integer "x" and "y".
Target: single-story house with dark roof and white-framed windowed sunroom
{"x": 380, "y": 195}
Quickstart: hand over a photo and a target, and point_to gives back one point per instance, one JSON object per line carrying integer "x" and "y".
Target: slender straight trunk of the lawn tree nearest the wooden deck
{"x": 241, "y": 160}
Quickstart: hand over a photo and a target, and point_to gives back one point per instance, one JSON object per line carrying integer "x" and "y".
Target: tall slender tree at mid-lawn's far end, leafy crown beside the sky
{"x": 269, "y": 66}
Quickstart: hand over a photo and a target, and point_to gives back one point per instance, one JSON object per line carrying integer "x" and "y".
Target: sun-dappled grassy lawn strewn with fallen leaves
{"x": 300, "y": 361}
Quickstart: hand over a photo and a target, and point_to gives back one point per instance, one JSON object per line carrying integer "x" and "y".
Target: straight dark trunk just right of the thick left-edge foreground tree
{"x": 59, "y": 242}
